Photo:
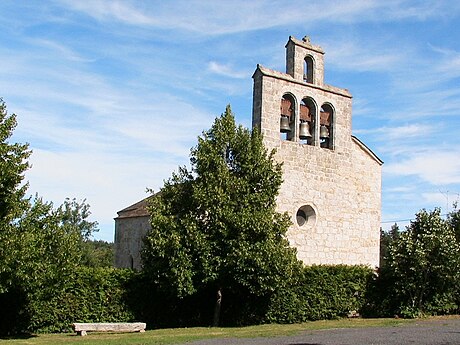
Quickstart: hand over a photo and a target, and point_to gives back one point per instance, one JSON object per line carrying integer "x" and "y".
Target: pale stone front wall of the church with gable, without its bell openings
{"x": 338, "y": 189}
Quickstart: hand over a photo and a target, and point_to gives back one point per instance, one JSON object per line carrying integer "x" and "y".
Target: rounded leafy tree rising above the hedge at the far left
{"x": 45, "y": 242}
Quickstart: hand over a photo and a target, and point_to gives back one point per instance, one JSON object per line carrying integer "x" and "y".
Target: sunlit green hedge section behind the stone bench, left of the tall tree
{"x": 87, "y": 295}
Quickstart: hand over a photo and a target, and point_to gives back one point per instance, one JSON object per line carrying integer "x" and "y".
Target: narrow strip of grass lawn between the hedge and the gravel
{"x": 183, "y": 335}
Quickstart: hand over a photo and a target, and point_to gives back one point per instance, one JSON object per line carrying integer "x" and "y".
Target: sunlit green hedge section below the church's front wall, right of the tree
{"x": 320, "y": 292}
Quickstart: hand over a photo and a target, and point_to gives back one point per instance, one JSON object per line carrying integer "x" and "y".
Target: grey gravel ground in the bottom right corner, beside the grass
{"x": 424, "y": 332}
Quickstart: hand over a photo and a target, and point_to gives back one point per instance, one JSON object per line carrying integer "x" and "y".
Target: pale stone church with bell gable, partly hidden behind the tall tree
{"x": 332, "y": 180}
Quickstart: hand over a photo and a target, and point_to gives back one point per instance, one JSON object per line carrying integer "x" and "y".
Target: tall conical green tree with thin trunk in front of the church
{"x": 216, "y": 224}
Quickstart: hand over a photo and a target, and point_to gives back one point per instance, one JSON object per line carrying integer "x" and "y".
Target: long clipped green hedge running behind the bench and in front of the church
{"x": 116, "y": 295}
